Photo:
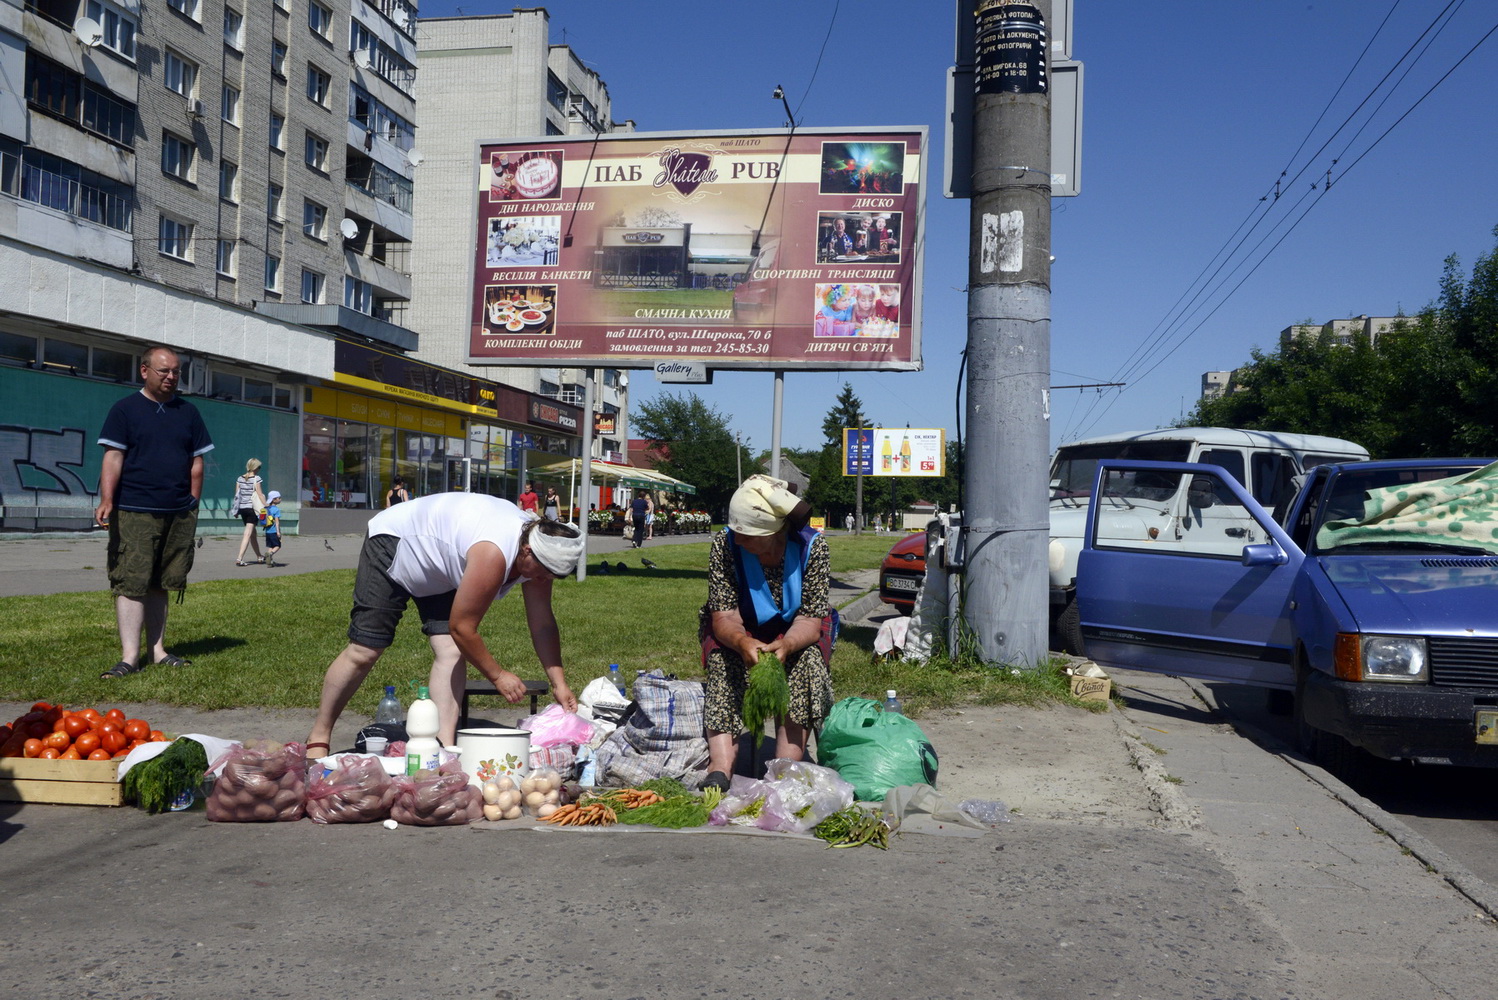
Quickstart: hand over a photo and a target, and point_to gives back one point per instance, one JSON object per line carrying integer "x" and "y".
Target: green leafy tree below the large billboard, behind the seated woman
{"x": 699, "y": 442}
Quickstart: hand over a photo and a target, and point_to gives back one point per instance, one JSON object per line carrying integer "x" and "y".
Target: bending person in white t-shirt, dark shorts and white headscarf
{"x": 455, "y": 555}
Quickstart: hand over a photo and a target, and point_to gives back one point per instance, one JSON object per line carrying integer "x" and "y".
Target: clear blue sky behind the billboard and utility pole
{"x": 1192, "y": 112}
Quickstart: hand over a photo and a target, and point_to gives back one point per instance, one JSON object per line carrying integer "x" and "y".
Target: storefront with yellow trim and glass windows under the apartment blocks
{"x": 386, "y": 415}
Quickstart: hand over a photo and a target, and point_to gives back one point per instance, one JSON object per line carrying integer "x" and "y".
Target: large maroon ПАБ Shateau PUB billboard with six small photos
{"x": 736, "y": 251}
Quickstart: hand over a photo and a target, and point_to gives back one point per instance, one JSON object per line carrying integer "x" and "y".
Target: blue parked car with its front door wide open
{"x": 1388, "y": 640}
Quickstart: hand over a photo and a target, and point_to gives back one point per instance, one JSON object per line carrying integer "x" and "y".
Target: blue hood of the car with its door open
{"x": 1418, "y": 594}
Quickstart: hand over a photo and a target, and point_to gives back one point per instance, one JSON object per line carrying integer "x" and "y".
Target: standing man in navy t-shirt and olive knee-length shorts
{"x": 151, "y": 484}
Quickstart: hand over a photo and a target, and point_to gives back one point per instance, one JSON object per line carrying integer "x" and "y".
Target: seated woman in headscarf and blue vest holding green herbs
{"x": 768, "y": 589}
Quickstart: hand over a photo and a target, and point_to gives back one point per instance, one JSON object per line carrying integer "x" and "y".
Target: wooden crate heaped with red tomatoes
{"x": 68, "y": 757}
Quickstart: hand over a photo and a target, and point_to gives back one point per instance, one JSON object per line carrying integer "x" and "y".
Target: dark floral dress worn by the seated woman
{"x": 810, "y": 676}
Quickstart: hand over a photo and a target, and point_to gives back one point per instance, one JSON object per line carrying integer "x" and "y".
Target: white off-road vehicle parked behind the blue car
{"x": 1264, "y": 462}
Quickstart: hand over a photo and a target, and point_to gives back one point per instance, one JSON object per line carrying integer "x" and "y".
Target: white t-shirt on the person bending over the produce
{"x": 437, "y": 534}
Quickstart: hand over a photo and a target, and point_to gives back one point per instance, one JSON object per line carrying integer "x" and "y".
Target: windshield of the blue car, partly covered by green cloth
{"x": 1346, "y": 504}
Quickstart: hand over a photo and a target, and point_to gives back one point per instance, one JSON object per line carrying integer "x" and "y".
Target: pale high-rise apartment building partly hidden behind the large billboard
{"x": 500, "y": 77}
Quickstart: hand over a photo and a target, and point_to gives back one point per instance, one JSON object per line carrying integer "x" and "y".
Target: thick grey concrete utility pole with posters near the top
{"x": 1006, "y": 526}
